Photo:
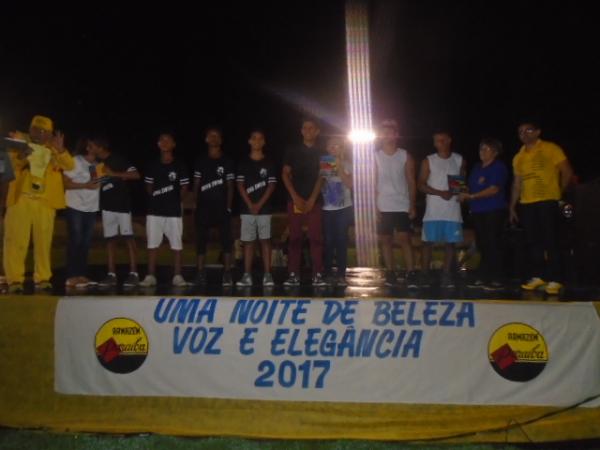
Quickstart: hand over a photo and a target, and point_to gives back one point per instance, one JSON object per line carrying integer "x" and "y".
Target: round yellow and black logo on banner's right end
{"x": 517, "y": 352}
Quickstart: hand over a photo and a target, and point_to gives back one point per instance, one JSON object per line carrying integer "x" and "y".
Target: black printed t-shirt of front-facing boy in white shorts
{"x": 166, "y": 181}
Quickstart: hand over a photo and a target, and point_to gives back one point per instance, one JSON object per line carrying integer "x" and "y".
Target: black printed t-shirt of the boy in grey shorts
{"x": 256, "y": 176}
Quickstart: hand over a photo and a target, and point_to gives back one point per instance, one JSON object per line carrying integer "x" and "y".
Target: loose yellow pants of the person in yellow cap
{"x": 28, "y": 216}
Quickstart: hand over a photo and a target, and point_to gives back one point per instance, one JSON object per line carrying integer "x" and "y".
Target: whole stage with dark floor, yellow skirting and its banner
{"x": 361, "y": 362}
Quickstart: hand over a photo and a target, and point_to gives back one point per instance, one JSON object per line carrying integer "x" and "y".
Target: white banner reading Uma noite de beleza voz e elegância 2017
{"x": 338, "y": 350}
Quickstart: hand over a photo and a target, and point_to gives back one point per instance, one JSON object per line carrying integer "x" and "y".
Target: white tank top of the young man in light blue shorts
{"x": 437, "y": 208}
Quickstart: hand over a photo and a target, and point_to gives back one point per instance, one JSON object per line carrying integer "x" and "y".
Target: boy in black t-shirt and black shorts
{"x": 213, "y": 190}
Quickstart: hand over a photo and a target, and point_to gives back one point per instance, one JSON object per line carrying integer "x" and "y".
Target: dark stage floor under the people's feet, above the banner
{"x": 361, "y": 283}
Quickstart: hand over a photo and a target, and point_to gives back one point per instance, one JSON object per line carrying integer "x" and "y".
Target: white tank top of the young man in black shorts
{"x": 392, "y": 186}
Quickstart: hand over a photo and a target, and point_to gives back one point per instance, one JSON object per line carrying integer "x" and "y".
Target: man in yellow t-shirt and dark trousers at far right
{"x": 541, "y": 173}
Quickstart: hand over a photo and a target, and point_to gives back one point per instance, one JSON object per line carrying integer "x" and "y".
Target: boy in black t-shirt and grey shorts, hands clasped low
{"x": 256, "y": 182}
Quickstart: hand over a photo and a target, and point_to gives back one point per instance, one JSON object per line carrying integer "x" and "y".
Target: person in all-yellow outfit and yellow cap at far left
{"x": 33, "y": 198}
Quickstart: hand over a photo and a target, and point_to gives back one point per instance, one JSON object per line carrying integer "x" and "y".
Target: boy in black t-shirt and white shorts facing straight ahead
{"x": 166, "y": 184}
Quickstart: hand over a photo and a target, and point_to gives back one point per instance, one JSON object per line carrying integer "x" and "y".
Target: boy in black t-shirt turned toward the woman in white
{"x": 115, "y": 204}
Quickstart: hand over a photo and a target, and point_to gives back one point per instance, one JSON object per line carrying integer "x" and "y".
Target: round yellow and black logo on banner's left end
{"x": 121, "y": 345}
